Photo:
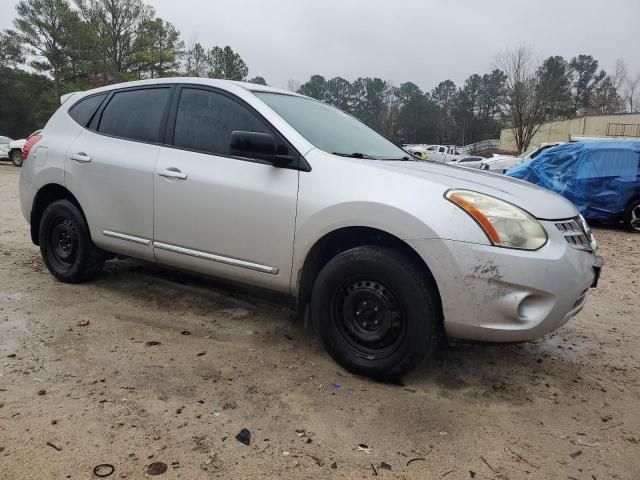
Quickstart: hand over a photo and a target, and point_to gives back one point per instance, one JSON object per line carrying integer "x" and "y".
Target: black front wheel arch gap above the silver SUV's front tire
{"x": 345, "y": 238}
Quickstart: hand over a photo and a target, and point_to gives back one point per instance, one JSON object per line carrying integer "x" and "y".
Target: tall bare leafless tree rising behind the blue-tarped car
{"x": 525, "y": 100}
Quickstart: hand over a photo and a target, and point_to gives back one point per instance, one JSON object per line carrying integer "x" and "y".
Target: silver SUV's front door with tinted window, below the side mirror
{"x": 223, "y": 215}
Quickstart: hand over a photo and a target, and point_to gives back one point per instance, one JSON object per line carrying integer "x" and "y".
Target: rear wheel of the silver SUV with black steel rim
{"x": 66, "y": 245}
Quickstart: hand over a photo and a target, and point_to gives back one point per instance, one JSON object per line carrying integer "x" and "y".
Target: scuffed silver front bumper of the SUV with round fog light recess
{"x": 503, "y": 295}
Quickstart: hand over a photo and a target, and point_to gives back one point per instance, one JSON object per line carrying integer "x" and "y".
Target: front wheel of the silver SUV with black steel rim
{"x": 377, "y": 311}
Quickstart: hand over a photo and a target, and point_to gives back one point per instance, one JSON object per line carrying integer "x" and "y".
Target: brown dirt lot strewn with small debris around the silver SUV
{"x": 72, "y": 397}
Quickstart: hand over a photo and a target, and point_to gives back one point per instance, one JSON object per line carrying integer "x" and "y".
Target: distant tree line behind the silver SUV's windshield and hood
{"x": 516, "y": 92}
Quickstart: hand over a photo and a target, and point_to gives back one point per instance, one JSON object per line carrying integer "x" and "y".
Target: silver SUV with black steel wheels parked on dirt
{"x": 384, "y": 254}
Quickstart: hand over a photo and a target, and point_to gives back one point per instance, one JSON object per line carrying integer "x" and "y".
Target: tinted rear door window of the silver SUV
{"x": 135, "y": 114}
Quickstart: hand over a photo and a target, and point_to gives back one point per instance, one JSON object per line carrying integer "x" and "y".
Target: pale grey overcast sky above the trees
{"x": 424, "y": 41}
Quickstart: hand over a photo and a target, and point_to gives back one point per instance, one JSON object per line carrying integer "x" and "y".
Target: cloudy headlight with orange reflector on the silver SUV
{"x": 504, "y": 224}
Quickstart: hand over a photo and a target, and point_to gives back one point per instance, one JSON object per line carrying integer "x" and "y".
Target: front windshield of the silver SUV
{"x": 330, "y": 129}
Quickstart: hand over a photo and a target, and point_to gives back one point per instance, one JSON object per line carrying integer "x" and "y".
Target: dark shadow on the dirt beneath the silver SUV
{"x": 485, "y": 370}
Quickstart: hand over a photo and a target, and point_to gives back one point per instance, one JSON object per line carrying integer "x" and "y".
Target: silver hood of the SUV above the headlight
{"x": 539, "y": 202}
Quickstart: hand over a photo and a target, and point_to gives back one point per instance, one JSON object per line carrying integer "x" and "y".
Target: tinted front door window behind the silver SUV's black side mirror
{"x": 205, "y": 120}
